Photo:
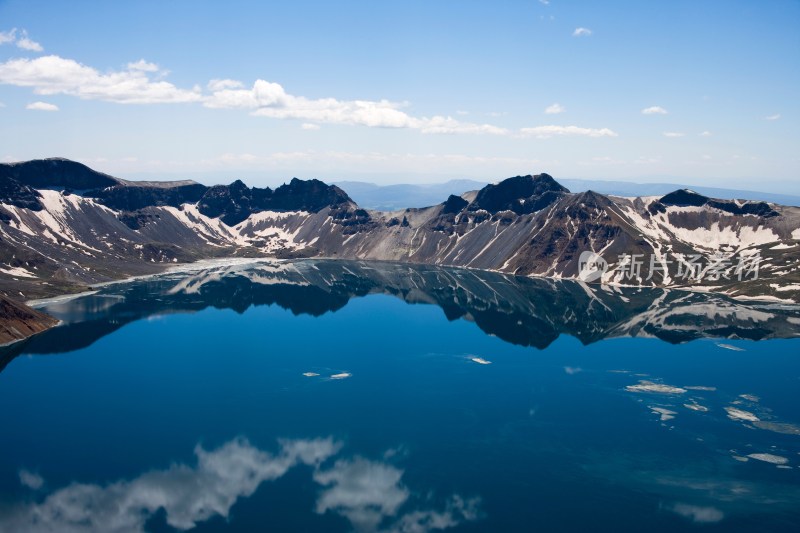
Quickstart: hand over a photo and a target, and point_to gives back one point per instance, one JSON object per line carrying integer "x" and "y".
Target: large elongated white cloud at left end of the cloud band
{"x": 52, "y": 74}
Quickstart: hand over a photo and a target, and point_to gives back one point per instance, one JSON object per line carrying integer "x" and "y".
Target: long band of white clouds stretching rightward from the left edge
{"x": 50, "y": 75}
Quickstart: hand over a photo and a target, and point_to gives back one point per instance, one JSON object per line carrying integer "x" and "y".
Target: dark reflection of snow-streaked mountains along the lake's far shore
{"x": 520, "y": 310}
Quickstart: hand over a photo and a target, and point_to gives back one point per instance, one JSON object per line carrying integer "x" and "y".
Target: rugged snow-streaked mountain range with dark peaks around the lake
{"x": 65, "y": 227}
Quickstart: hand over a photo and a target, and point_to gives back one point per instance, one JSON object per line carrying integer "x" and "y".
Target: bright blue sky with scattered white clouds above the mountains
{"x": 704, "y": 93}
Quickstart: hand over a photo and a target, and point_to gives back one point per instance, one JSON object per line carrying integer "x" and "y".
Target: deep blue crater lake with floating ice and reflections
{"x": 338, "y": 397}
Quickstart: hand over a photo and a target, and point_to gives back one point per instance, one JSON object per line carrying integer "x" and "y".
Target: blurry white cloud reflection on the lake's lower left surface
{"x": 367, "y": 493}
